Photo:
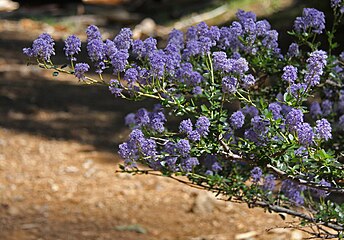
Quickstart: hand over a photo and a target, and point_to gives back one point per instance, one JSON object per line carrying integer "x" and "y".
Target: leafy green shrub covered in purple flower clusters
{"x": 254, "y": 125}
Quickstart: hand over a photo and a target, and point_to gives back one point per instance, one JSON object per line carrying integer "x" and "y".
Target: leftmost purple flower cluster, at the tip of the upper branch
{"x": 42, "y": 47}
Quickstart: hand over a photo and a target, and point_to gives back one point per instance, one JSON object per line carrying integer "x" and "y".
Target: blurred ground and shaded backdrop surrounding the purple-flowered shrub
{"x": 58, "y": 138}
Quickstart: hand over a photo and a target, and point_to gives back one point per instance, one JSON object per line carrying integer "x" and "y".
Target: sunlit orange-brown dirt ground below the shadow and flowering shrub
{"x": 57, "y": 189}
